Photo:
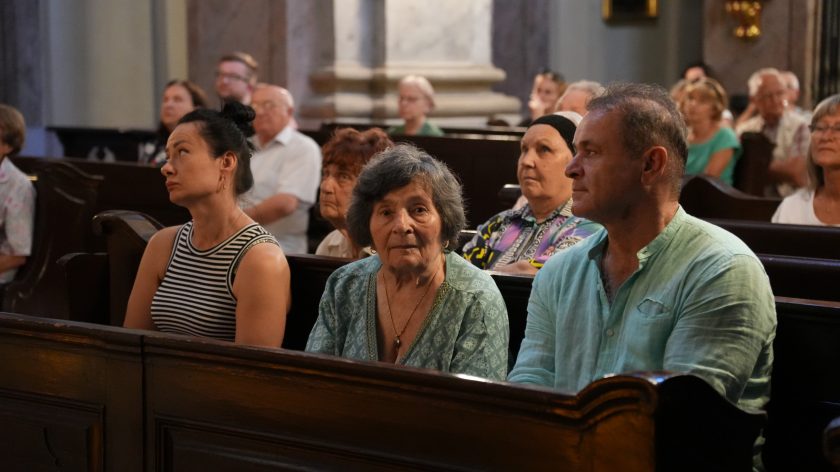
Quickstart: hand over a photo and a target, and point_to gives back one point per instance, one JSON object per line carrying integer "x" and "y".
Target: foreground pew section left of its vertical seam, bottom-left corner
{"x": 70, "y": 391}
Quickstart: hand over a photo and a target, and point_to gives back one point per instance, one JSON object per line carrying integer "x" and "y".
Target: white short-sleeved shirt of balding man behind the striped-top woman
{"x": 290, "y": 163}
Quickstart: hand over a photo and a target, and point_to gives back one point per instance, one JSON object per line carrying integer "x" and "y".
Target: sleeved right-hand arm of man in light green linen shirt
{"x": 725, "y": 327}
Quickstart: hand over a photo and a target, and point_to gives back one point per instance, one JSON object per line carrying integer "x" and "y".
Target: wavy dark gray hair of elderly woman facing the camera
{"x": 395, "y": 168}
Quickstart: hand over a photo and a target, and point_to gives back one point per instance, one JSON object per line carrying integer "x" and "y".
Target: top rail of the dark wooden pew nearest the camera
{"x": 540, "y": 403}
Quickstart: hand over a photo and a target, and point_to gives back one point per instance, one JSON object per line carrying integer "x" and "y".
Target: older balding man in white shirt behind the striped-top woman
{"x": 286, "y": 168}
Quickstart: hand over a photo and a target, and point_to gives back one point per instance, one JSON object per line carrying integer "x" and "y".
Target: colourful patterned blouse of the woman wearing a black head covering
{"x": 515, "y": 235}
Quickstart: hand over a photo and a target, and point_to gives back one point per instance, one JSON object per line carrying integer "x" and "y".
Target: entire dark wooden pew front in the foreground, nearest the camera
{"x": 95, "y": 398}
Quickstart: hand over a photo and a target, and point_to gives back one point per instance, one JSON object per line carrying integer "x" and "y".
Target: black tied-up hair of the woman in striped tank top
{"x": 225, "y": 131}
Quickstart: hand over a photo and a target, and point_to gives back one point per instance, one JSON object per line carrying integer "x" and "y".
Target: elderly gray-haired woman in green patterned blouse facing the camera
{"x": 415, "y": 302}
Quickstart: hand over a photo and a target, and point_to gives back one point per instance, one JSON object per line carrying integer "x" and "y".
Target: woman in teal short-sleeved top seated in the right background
{"x": 713, "y": 147}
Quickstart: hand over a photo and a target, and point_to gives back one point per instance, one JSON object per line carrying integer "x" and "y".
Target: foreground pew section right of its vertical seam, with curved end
{"x": 359, "y": 416}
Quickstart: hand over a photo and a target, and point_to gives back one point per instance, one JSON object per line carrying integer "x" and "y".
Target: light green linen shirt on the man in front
{"x": 700, "y": 302}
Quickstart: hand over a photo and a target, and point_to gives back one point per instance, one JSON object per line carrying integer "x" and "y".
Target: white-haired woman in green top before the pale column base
{"x": 416, "y": 100}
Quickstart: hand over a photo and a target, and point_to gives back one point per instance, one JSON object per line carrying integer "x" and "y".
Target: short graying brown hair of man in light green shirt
{"x": 648, "y": 118}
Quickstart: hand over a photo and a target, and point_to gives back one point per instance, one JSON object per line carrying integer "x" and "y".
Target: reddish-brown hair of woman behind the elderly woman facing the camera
{"x": 350, "y": 149}
